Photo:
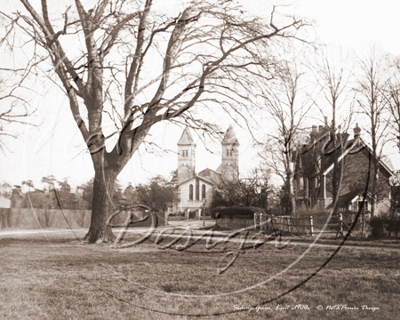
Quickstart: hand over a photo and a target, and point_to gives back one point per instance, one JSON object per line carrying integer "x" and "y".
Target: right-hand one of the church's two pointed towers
{"x": 230, "y": 156}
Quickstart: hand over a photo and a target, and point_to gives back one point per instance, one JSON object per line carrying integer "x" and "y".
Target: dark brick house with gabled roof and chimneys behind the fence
{"x": 314, "y": 166}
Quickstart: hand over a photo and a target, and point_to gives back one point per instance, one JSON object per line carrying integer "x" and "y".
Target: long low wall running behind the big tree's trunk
{"x": 21, "y": 218}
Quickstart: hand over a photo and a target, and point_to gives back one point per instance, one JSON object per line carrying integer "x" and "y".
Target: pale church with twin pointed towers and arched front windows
{"x": 195, "y": 190}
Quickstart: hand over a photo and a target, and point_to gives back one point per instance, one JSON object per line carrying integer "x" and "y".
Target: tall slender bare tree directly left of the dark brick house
{"x": 287, "y": 103}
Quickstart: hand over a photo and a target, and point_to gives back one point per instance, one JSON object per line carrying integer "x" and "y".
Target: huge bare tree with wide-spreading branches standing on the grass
{"x": 140, "y": 66}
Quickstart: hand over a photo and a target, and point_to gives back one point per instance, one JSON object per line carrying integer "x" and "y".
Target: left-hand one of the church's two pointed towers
{"x": 186, "y": 156}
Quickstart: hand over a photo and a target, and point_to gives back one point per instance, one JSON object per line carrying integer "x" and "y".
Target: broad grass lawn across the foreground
{"x": 61, "y": 278}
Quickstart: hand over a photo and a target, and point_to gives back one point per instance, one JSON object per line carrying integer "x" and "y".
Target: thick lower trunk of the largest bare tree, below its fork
{"x": 103, "y": 190}
